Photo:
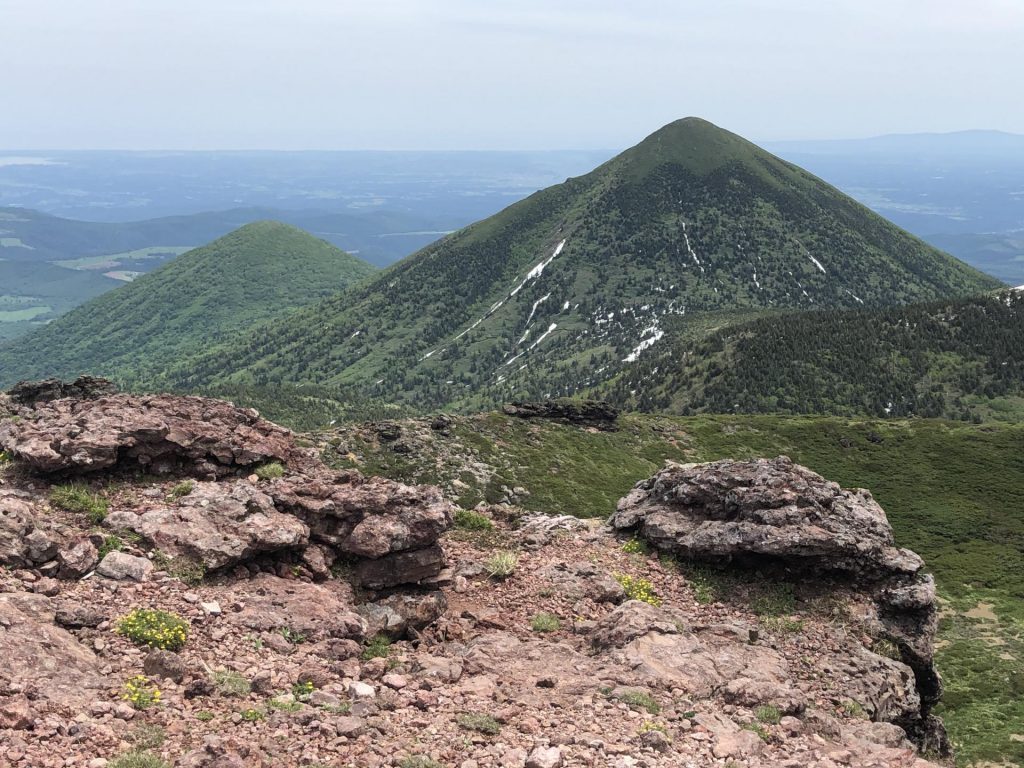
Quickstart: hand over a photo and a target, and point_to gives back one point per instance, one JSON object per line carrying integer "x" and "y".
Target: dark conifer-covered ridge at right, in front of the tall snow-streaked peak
{"x": 959, "y": 360}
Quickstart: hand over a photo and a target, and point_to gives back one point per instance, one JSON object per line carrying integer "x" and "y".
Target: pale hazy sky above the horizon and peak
{"x": 497, "y": 74}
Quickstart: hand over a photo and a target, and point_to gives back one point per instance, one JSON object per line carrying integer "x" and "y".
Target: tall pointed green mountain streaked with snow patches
{"x": 566, "y": 288}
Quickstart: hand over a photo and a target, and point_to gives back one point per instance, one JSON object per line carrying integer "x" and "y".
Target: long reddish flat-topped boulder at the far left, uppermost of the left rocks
{"x": 158, "y": 433}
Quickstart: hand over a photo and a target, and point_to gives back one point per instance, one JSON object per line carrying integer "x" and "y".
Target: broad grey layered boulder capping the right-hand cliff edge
{"x": 764, "y": 509}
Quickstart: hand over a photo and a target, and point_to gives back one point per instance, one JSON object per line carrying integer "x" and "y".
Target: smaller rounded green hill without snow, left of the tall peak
{"x": 206, "y": 296}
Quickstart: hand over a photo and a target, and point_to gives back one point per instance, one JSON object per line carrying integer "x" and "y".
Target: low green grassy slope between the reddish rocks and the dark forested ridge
{"x": 952, "y": 492}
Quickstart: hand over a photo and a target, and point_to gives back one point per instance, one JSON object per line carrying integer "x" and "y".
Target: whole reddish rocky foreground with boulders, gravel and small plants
{"x": 334, "y": 620}
